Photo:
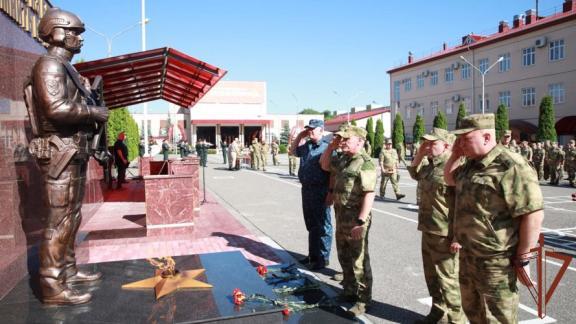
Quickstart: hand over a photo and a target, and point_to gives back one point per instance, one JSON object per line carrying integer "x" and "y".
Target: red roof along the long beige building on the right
{"x": 481, "y": 41}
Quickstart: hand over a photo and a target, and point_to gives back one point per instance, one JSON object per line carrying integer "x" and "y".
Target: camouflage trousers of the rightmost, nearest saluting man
{"x": 488, "y": 288}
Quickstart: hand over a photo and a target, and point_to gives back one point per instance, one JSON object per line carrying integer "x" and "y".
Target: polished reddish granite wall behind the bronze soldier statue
{"x": 21, "y": 207}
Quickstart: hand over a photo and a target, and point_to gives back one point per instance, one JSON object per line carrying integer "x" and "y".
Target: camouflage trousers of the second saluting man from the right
{"x": 441, "y": 273}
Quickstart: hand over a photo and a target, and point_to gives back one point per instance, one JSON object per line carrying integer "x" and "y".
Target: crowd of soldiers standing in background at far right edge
{"x": 549, "y": 159}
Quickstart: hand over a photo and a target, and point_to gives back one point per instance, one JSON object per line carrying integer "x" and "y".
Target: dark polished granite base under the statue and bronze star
{"x": 112, "y": 304}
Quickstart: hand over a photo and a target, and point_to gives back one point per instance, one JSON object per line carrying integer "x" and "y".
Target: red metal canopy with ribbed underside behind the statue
{"x": 162, "y": 73}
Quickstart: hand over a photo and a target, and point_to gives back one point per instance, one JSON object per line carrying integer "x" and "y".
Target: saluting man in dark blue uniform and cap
{"x": 314, "y": 182}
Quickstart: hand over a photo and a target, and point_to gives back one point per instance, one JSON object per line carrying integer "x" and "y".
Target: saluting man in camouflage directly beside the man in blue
{"x": 353, "y": 193}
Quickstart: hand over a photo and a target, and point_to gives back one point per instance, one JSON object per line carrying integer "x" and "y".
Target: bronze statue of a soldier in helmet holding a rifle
{"x": 64, "y": 120}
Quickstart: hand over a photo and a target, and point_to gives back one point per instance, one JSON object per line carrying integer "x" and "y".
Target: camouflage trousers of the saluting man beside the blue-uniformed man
{"x": 353, "y": 254}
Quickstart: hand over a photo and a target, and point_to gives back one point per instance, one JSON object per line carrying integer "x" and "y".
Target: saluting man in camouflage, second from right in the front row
{"x": 435, "y": 217}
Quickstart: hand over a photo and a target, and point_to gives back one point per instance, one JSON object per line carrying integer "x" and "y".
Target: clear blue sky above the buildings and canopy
{"x": 329, "y": 54}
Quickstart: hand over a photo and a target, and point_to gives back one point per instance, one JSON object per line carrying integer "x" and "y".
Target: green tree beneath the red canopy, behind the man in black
{"x": 119, "y": 121}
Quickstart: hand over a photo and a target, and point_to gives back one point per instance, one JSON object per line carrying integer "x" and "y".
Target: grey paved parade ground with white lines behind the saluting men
{"x": 269, "y": 204}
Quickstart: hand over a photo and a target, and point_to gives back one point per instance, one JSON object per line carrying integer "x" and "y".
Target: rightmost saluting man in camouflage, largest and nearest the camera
{"x": 498, "y": 217}
